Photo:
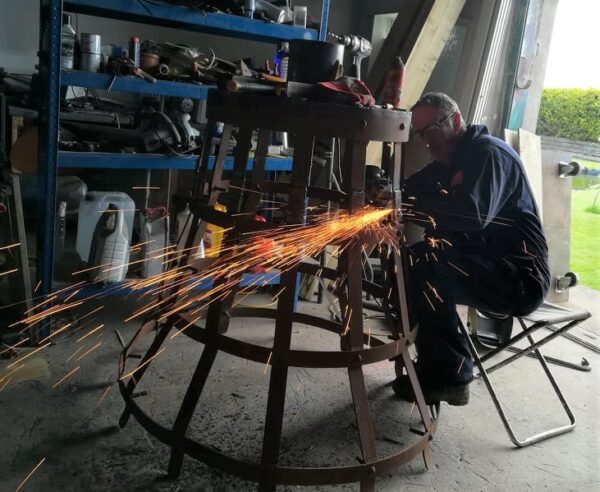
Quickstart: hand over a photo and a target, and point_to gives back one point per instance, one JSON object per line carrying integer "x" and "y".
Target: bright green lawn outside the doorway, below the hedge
{"x": 585, "y": 237}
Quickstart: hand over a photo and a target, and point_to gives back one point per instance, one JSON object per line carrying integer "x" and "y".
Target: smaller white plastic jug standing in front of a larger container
{"x": 114, "y": 240}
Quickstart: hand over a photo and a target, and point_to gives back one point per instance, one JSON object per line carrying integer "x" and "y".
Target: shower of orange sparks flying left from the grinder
{"x": 178, "y": 289}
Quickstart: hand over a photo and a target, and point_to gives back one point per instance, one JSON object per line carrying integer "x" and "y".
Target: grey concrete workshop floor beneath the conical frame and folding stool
{"x": 74, "y": 426}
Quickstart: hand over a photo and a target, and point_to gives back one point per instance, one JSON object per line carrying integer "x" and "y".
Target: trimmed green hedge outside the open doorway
{"x": 570, "y": 113}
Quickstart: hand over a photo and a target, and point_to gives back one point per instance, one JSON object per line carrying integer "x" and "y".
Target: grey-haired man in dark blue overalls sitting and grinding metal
{"x": 484, "y": 245}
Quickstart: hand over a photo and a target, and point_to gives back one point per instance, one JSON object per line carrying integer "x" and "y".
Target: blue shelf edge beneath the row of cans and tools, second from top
{"x": 133, "y": 84}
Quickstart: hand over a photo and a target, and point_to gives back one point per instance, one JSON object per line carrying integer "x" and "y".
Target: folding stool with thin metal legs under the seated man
{"x": 569, "y": 322}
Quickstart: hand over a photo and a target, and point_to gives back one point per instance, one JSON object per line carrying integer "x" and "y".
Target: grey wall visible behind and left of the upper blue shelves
{"x": 19, "y": 25}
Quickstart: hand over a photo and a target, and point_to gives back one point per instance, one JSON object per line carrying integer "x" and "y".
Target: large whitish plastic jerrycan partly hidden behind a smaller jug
{"x": 90, "y": 210}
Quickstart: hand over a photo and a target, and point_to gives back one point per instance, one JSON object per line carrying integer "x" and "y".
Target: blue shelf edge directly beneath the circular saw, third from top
{"x": 97, "y": 160}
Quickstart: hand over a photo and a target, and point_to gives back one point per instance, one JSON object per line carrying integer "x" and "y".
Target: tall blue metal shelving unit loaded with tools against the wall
{"x": 52, "y": 79}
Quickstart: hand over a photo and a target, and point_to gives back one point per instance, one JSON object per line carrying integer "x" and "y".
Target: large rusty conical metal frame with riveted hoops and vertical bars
{"x": 307, "y": 121}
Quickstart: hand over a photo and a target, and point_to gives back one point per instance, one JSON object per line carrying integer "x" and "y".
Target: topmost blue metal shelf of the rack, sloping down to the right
{"x": 153, "y": 12}
